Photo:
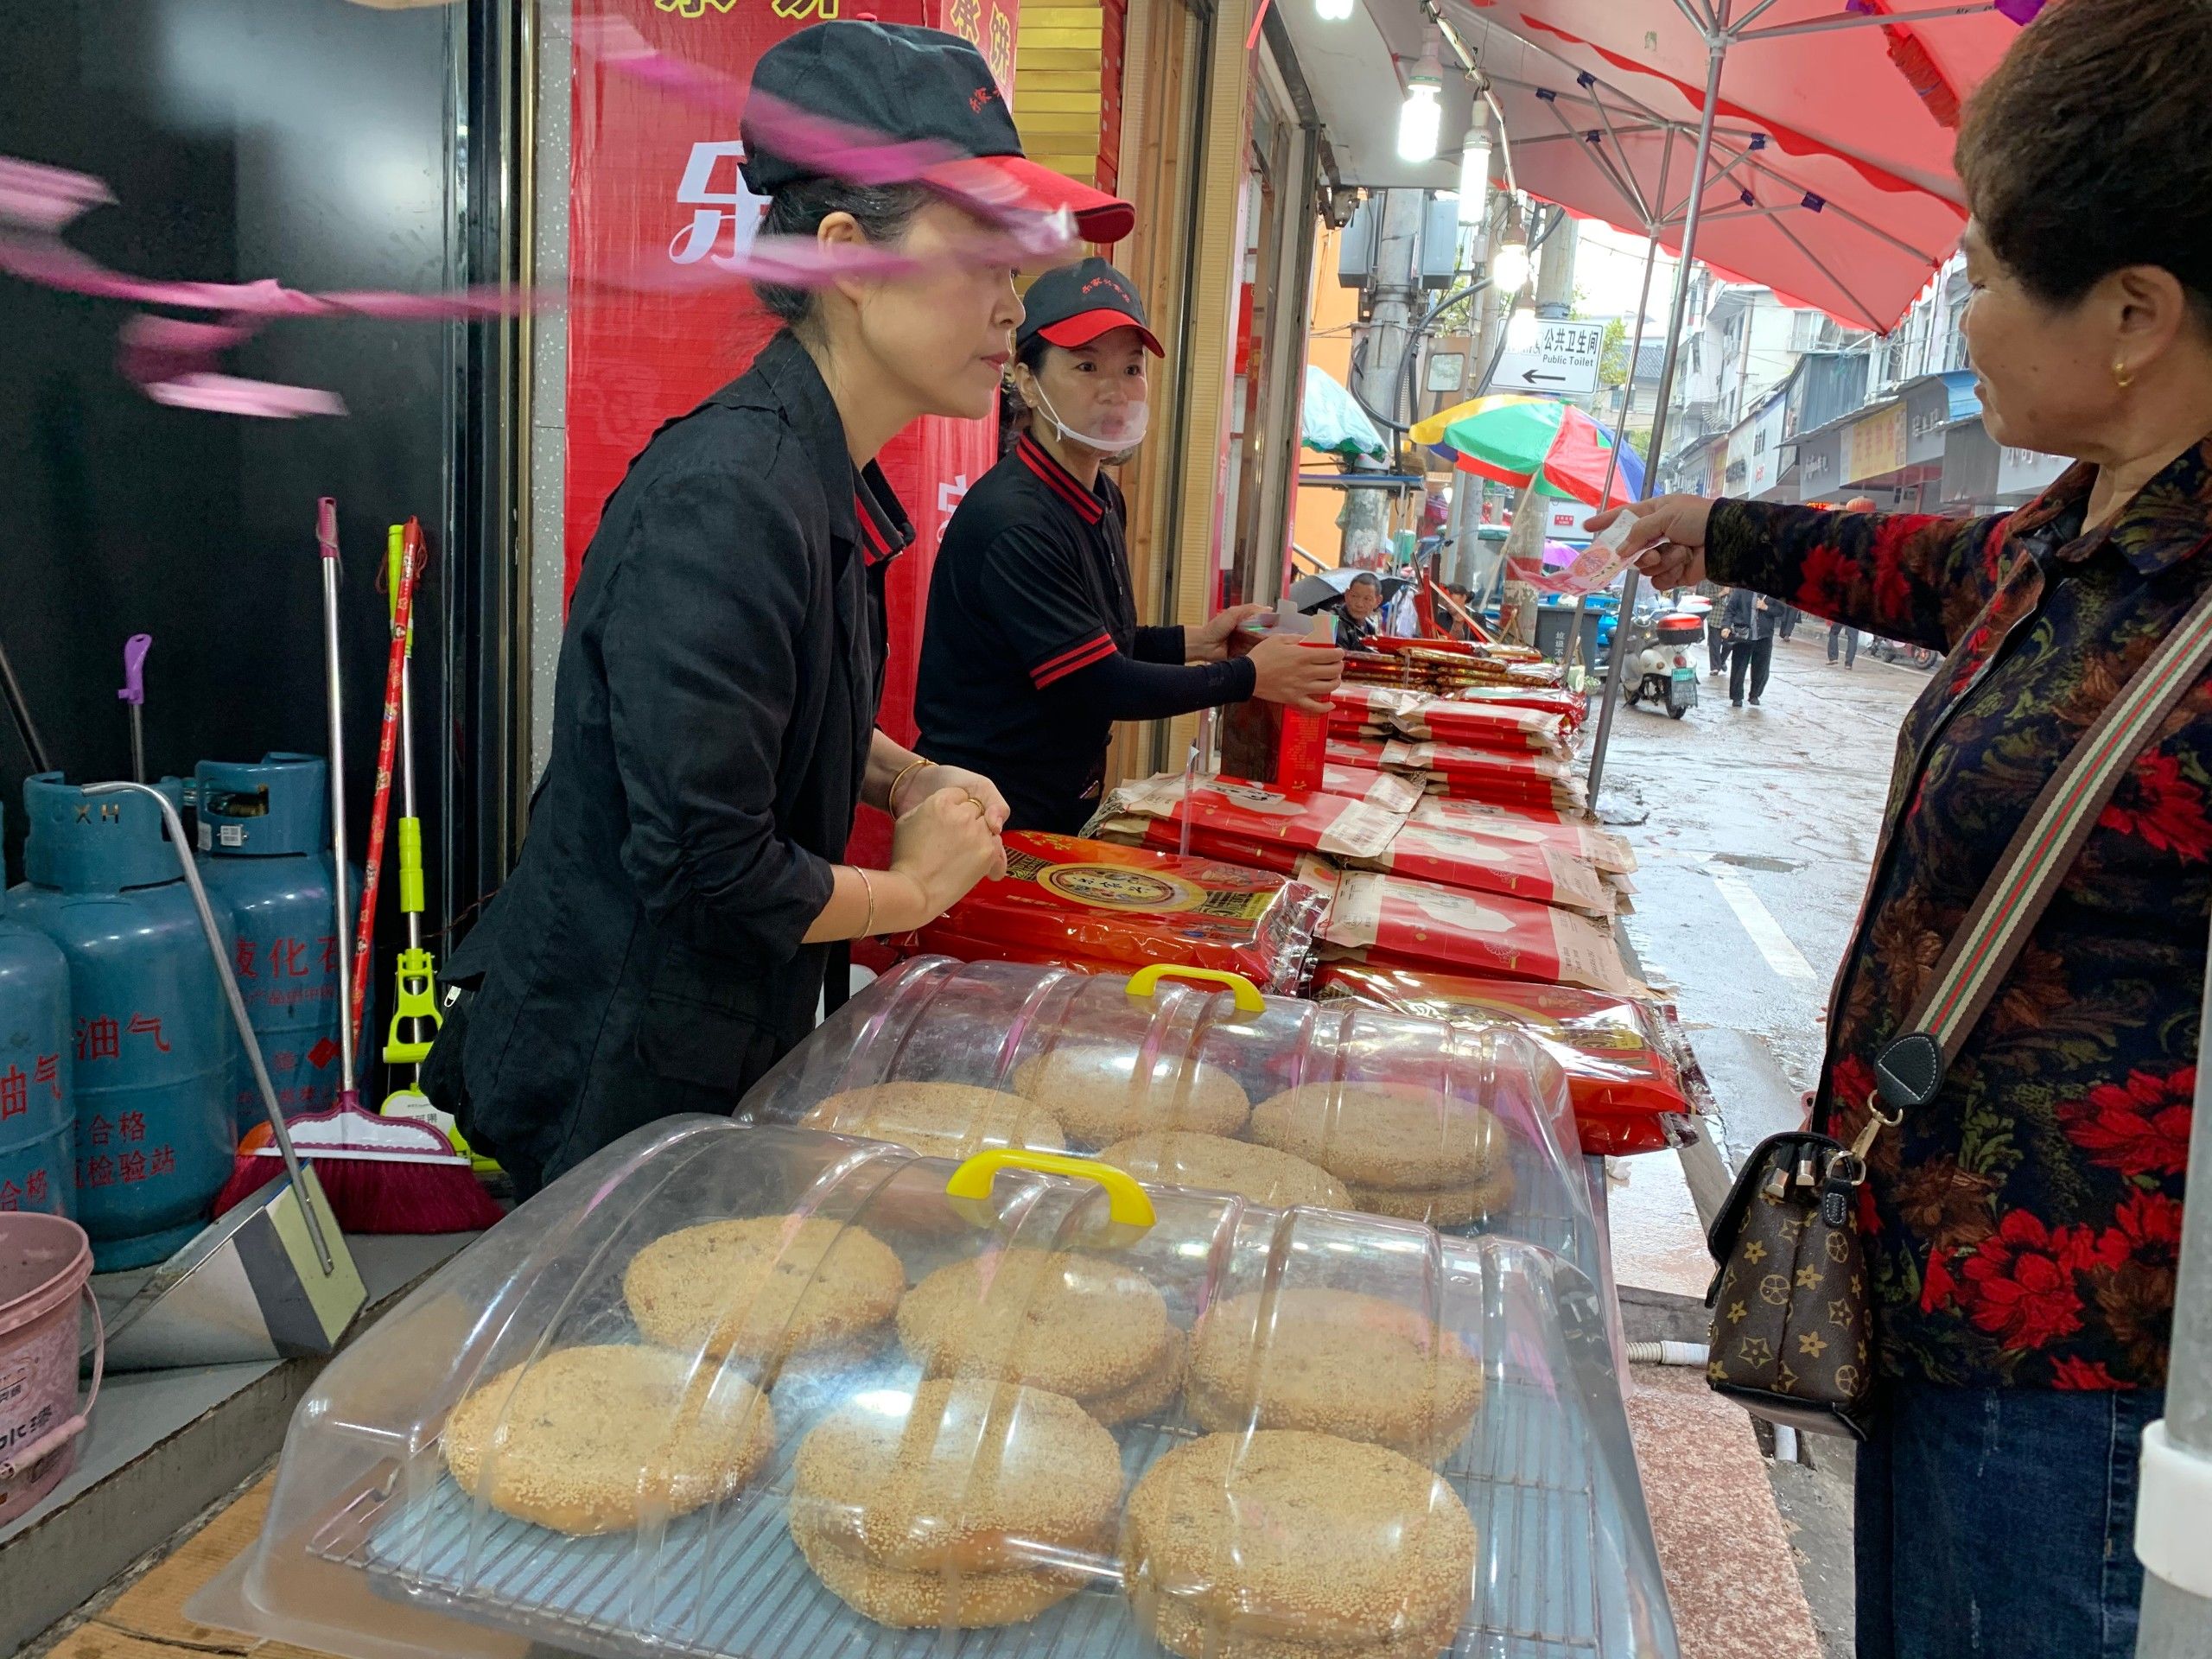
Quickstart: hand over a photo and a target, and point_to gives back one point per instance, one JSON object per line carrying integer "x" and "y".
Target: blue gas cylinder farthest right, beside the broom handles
{"x": 264, "y": 842}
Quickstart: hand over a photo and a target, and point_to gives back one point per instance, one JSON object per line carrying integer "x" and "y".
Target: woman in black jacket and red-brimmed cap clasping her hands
{"x": 685, "y": 884}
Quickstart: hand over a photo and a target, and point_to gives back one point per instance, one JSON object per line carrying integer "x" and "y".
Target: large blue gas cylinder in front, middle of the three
{"x": 152, "y": 1052}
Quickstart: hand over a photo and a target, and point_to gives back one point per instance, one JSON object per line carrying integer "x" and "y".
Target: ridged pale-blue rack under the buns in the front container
{"x": 731, "y": 1585}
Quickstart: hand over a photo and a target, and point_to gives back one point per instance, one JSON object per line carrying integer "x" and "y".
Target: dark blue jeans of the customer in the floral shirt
{"x": 2001, "y": 1523}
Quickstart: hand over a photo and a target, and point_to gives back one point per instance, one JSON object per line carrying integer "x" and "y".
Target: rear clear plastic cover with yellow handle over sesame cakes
{"x": 1426, "y": 1120}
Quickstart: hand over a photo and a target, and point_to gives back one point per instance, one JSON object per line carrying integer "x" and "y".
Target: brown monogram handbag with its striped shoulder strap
{"x": 1793, "y": 1315}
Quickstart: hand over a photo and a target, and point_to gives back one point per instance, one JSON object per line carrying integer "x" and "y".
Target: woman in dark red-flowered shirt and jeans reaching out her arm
{"x": 2023, "y": 1229}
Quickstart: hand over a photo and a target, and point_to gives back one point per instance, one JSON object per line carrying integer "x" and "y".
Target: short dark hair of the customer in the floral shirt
{"x": 2089, "y": 147}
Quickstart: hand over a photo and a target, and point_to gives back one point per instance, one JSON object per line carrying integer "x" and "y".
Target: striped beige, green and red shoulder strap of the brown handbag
{"x": 2043, "y": 851}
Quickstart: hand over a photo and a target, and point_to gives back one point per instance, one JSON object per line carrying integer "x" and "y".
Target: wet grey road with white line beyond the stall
{"x": 1757, "y": 846}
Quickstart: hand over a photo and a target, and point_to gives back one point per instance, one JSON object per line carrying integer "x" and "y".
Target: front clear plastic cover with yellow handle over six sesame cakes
{"x": 864, "y": 1459}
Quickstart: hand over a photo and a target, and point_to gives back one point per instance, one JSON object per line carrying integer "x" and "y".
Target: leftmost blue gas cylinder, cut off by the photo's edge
{"x": 39, "y": 1127}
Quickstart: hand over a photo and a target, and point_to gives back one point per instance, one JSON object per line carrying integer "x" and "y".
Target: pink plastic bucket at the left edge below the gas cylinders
{"x": 45, "y": 1269}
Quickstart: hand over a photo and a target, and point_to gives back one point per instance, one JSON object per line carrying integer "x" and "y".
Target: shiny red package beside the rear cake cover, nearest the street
{"x": 1616, "y": 1052}
